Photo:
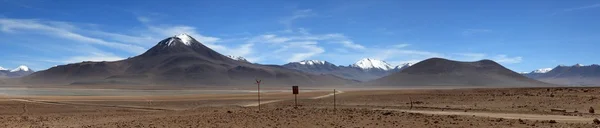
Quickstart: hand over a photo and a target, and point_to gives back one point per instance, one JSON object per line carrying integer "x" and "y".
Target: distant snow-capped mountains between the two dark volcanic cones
{"x": 364, "y": 70}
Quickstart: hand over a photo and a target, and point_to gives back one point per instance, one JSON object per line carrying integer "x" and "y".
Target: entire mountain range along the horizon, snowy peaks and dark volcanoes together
{"x": 181, "y": 60}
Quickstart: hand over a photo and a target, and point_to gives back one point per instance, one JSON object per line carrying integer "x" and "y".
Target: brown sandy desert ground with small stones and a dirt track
{"x": 516, "y": 107}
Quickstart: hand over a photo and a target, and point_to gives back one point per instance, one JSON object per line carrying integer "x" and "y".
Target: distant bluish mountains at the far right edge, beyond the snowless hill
{"x": 576, "y": 75}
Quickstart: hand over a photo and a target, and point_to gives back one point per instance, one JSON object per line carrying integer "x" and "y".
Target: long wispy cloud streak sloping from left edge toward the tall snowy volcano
{"x": 62, "y": 30}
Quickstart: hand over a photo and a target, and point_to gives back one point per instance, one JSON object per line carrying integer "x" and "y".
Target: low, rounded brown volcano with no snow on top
{"x": 443, "y": 72}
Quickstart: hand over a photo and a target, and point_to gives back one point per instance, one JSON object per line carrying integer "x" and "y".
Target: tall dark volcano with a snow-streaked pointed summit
{"x": 179, "y": 60}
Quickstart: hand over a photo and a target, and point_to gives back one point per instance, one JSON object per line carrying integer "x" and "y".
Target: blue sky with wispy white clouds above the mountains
{"x": 521, "y": 35}
